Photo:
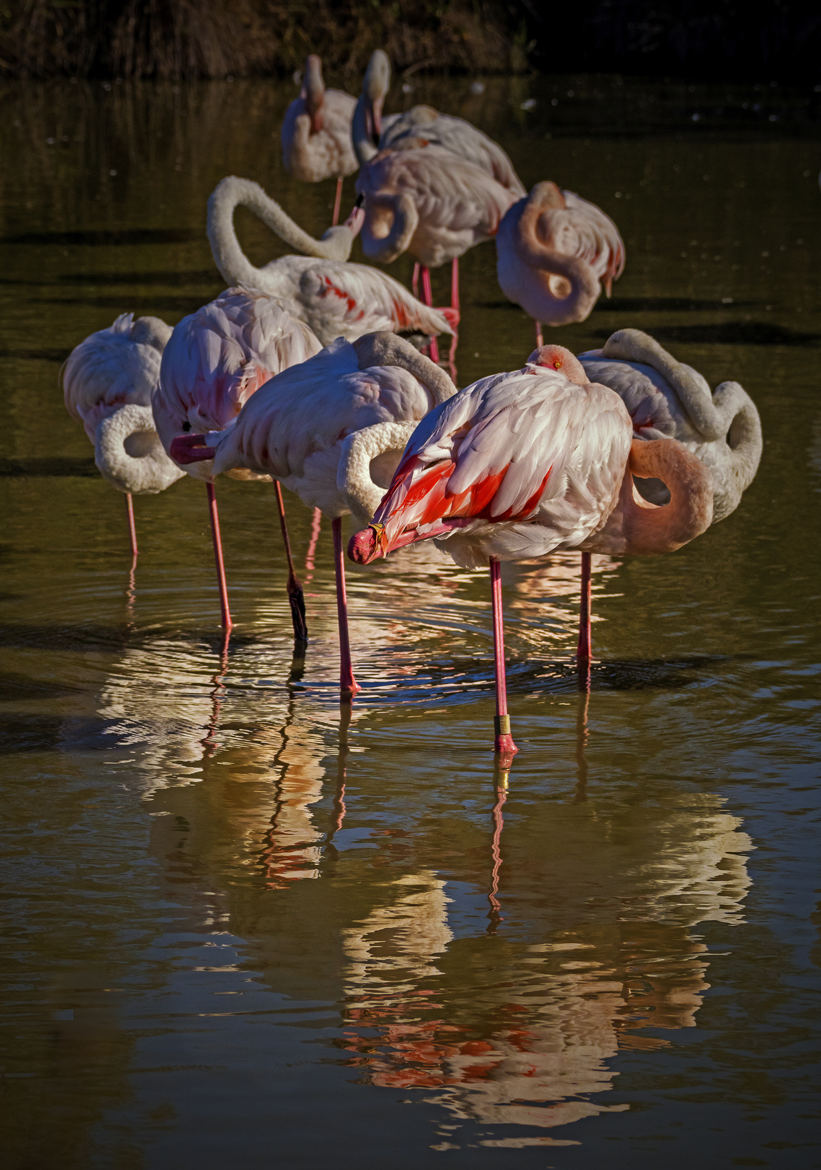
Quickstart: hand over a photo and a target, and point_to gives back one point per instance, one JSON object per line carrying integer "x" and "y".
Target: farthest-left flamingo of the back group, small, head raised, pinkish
{"x": 316, "y": 133}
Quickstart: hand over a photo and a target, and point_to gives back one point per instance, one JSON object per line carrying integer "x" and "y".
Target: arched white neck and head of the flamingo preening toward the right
{"x": 233, "y": 264}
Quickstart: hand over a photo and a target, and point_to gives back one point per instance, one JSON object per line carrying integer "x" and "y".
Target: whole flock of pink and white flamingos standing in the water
{"x": 299, "y": 373}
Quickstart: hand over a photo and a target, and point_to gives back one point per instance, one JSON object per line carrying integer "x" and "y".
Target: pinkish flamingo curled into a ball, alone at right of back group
{"x": 554, "y": 253}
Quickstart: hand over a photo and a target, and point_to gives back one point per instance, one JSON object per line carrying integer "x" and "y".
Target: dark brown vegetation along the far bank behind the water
{"x": 188, "y": 39}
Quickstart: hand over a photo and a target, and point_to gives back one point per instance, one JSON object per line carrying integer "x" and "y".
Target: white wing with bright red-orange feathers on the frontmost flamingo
{"x": 514, "y": 448}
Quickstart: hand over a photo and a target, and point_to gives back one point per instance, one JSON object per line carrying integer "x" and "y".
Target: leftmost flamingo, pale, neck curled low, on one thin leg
{"x": 109, "y": 382}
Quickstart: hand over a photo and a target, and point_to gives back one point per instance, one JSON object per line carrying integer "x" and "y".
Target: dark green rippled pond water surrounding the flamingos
{"x": 244, "y": 928}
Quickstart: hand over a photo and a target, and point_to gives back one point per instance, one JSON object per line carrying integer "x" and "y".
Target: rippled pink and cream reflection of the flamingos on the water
{"x": 500, "y": 986}
